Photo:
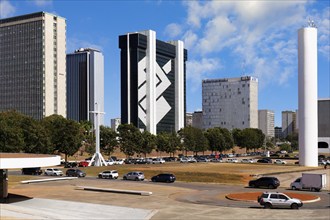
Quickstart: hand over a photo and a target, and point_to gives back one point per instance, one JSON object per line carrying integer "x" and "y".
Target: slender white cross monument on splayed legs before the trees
{"x": 97, "y": 157}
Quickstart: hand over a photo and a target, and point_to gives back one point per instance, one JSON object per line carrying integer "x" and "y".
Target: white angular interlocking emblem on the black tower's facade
{"x": 162, "y": 83}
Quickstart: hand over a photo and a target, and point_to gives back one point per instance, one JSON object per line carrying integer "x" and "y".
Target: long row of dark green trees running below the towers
{"x": 56, "y": 134}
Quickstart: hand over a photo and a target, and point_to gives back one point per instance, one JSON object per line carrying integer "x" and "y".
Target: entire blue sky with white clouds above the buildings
{"x": 224, "y": 39}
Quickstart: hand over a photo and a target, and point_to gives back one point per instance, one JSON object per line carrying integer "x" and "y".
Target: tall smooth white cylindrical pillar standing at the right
{"x": 307, "y": 88}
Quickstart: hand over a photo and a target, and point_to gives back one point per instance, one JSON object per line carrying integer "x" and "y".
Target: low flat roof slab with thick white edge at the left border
{"x": 18, "y": 160}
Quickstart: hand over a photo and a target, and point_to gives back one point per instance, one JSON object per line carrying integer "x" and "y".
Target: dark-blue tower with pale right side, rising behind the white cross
{"x": 85, "y": 84}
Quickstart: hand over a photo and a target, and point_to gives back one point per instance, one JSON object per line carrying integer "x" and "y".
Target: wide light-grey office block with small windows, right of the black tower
{"x": 230, "y": 103}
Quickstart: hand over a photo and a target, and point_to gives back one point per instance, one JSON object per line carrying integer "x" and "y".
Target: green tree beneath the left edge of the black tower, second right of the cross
{"x": 129, "y": 138}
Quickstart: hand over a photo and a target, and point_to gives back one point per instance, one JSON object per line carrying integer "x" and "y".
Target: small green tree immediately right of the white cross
{"x": 108, "y": 140}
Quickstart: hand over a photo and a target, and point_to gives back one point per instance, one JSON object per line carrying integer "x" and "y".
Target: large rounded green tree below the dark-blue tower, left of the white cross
{"x": 66, "y": 135}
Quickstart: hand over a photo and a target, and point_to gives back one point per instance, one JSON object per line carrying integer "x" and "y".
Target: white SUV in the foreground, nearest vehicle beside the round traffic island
{"x": 279, "y": 200}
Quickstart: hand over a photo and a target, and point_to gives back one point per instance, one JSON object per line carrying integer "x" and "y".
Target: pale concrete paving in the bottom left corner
{"x": 58, "y": 209}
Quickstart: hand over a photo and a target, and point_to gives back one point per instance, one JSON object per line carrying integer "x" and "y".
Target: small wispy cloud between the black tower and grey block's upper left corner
{"x": 197, "y": 70}
